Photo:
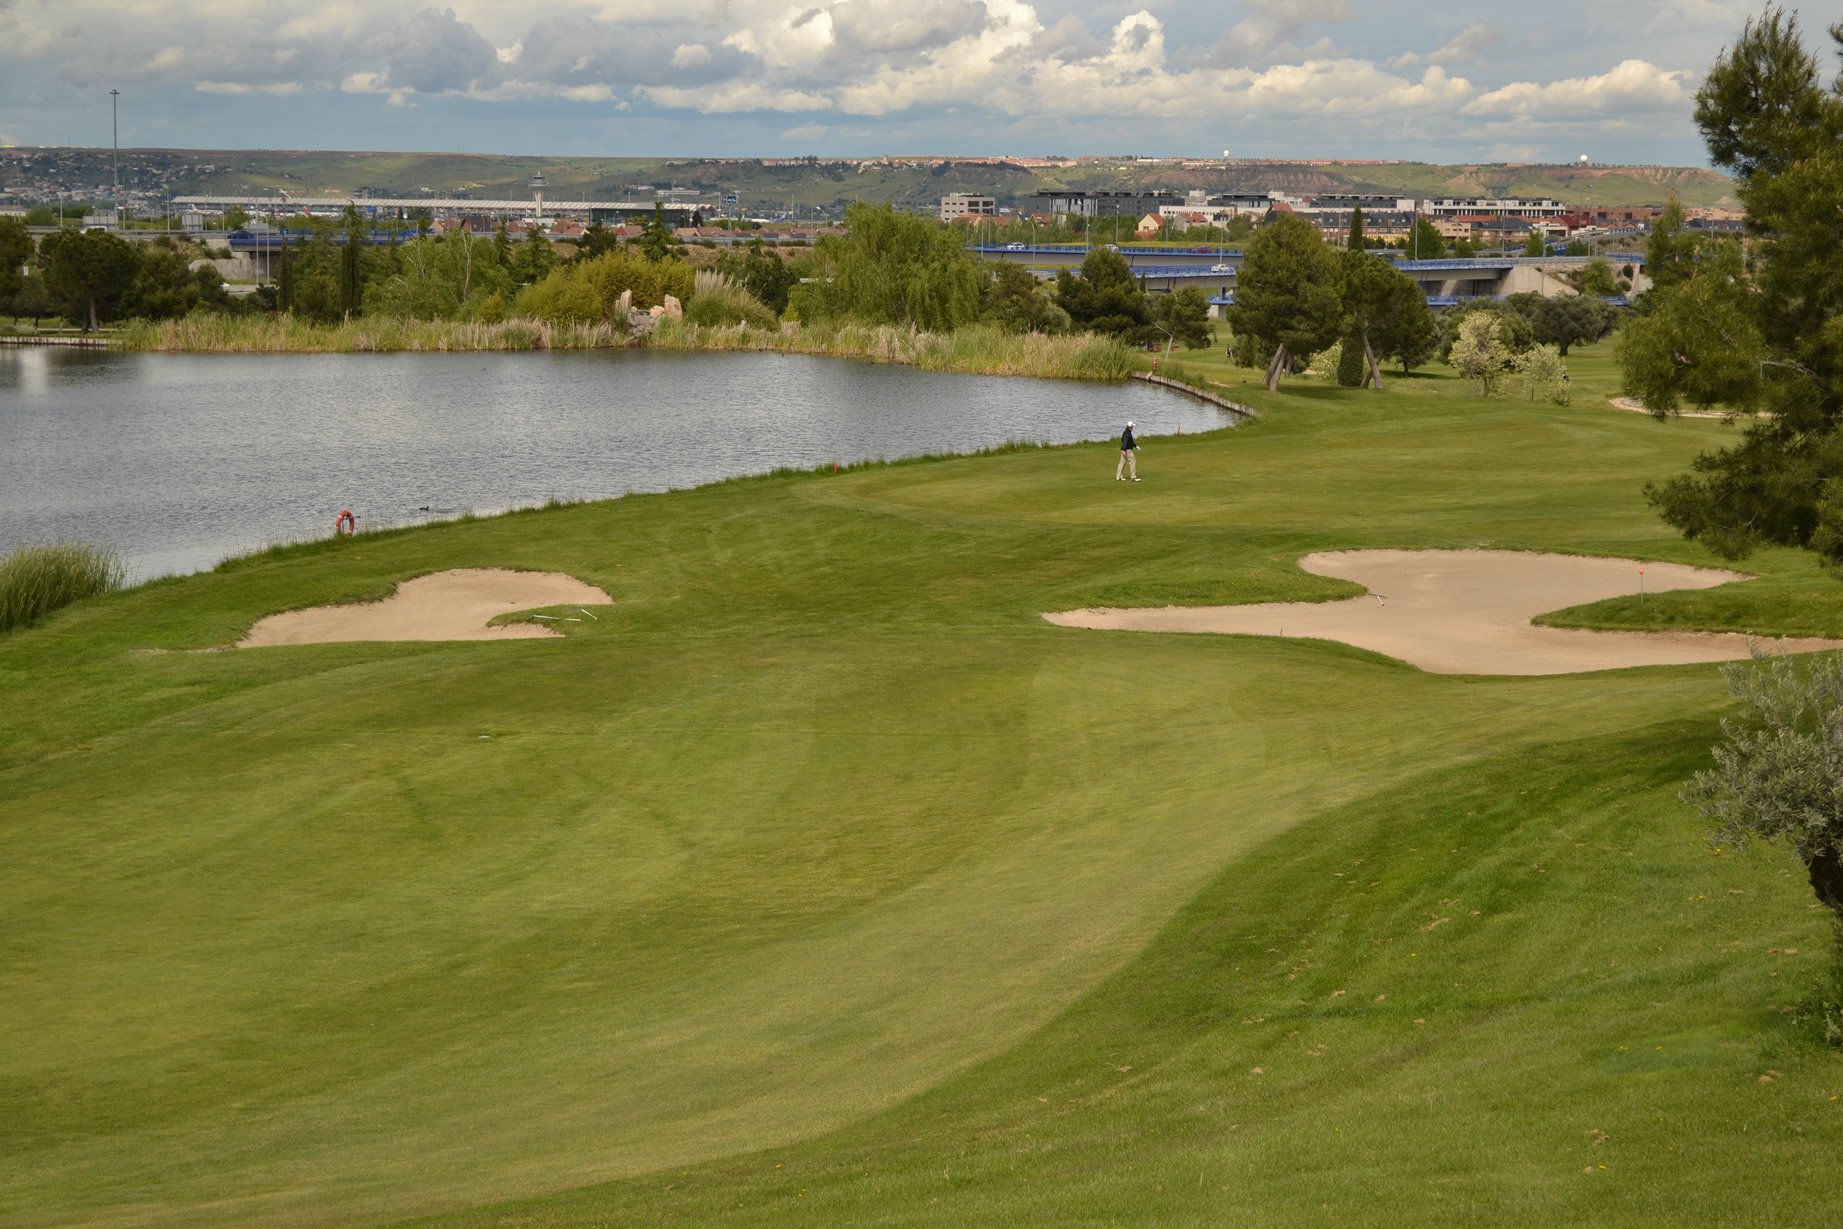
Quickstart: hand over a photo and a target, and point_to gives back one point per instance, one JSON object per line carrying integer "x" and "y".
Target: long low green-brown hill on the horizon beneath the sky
{"x": 812, "y": 183}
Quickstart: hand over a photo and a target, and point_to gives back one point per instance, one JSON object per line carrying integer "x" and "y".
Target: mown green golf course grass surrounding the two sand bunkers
{"x": 821, "y": 878}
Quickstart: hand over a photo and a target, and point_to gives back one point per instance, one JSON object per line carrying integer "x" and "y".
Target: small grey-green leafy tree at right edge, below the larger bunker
{"x": 1779, "y": 771}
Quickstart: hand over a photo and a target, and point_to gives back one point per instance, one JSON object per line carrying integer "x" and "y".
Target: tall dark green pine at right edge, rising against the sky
{"x": 1759, "y": 331}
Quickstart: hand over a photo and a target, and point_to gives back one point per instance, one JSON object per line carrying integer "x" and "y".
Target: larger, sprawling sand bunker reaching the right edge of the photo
{"x": 1468, "y": 613}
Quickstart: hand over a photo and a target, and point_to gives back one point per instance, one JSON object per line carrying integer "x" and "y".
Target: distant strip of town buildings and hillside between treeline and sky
{"x": 1133, "y": 196}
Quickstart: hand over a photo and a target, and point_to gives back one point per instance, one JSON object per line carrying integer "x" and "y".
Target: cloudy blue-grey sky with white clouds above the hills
{"x": 1453, "y": 82}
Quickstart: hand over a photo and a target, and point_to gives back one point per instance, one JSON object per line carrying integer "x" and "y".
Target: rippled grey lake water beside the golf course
{"x": 180, "y": 462}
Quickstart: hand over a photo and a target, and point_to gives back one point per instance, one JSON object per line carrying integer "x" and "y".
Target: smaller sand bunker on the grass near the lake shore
{"x": 449, "y": 605}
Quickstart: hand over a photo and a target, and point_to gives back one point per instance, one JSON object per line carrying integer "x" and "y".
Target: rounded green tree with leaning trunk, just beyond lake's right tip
{"x": 1287, "y": 296}
